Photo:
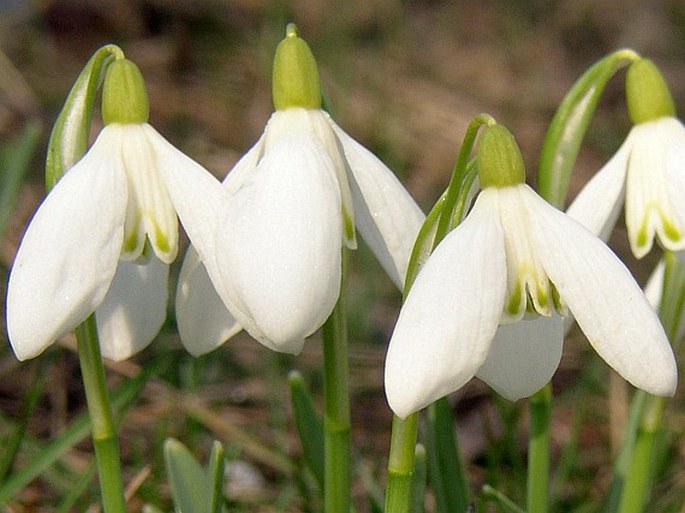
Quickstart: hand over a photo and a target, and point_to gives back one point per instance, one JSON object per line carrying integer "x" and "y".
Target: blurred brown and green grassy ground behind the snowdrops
{"x": 404, "y": 78}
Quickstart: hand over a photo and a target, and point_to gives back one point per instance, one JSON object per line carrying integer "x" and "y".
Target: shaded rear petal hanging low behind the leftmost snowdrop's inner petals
{"x": 134, "y": 308}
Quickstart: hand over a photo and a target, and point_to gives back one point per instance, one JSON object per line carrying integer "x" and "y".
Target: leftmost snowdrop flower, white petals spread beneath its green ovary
{"x": 103, "y": 237}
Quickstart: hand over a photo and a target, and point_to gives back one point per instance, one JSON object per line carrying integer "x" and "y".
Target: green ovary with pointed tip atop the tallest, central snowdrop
{"x": 295, "y": 74}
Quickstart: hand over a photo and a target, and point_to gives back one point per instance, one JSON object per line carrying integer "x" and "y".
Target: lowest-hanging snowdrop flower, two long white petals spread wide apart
{"x": 512, "y": 259}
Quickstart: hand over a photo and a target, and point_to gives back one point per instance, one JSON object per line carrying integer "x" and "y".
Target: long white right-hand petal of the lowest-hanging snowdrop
{"x": 605, "y": 300}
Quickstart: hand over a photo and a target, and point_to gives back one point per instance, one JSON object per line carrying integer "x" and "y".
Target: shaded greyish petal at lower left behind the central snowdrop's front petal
{"x": 203, "y": 321}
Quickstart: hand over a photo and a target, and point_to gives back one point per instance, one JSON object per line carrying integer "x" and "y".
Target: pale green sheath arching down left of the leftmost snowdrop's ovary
{"x": 69, "y": 137}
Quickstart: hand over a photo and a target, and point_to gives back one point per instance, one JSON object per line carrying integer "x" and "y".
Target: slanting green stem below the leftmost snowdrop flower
{"x": 104, "y": 432}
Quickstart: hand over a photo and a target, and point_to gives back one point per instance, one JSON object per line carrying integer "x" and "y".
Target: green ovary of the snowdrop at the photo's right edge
{"x": 647, "y": 93}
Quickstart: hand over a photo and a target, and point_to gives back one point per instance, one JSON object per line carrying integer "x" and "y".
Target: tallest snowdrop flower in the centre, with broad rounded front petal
{"x": 295, "y": 200}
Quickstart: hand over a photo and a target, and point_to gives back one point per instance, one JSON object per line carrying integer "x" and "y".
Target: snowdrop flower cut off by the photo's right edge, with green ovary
{"x": 647, "y": 172}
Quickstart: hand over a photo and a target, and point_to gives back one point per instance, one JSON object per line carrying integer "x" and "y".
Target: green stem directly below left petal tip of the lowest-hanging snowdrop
{"x": 398, "y": 495}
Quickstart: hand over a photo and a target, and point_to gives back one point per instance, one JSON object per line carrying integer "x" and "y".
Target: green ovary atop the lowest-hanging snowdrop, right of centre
{"x": 499, "y": 159}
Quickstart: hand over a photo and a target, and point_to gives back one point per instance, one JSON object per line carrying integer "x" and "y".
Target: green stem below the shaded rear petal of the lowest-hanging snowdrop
{"x": 538, "y": 450}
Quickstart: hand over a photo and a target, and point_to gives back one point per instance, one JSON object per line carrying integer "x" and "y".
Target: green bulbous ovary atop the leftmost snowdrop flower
{"x": 124, "y": 96}
